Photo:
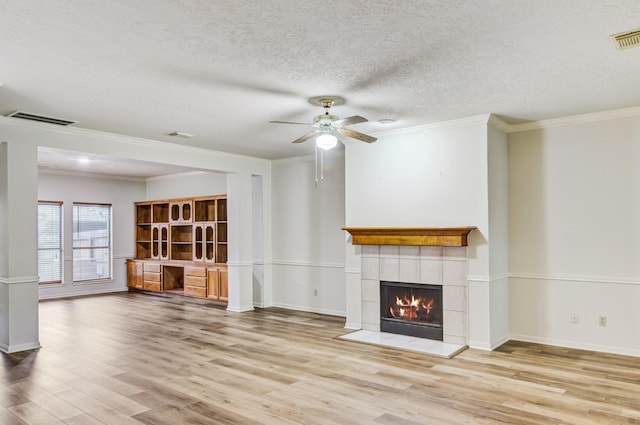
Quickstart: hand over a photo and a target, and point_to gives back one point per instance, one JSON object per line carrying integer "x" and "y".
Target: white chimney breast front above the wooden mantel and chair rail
{"x": 432, "y": 178}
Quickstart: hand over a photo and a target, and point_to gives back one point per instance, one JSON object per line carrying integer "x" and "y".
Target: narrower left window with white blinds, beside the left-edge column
{"x": 49, "y": 242}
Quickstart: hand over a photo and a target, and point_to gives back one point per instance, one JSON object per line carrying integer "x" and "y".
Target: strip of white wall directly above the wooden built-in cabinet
{"x": 186, "y": 185}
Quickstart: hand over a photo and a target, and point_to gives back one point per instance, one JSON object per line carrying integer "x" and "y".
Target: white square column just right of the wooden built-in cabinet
{"x": 240, "y": 239}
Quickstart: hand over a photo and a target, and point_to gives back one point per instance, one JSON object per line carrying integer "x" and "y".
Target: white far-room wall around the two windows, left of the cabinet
{"x": 121, "y": 194}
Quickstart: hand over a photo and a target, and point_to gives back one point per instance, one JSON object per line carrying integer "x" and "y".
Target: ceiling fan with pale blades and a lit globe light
{"x": 327, "y": 127}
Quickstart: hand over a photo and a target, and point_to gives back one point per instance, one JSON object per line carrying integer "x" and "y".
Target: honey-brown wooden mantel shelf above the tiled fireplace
{"x": 411, "y": 236}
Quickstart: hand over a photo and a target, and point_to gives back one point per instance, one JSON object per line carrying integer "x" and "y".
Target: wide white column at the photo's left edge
{"x": 18, "y": 247}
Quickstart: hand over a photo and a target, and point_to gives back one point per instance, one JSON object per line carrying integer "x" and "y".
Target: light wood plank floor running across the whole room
{"x": 133, "y": 358}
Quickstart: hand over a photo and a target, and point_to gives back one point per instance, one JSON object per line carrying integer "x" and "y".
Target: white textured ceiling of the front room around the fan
{"x": 221, "y": 70}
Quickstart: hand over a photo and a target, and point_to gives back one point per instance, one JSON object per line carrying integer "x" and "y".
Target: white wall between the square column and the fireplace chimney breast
{"x": 308, "y": 243}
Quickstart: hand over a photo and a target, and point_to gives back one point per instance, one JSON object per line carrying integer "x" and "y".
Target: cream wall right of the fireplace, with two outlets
{"x": 574, "y": 203}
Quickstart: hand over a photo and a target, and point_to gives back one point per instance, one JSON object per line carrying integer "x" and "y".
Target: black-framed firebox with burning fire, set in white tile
{"x": 411, "y": 309}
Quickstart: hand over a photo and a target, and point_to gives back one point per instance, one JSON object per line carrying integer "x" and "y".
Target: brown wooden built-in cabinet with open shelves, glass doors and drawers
{"x": 181, "y": 246}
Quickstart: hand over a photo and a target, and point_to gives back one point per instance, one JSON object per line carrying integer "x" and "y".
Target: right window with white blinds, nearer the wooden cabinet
{"x": 91, "y": 242}
